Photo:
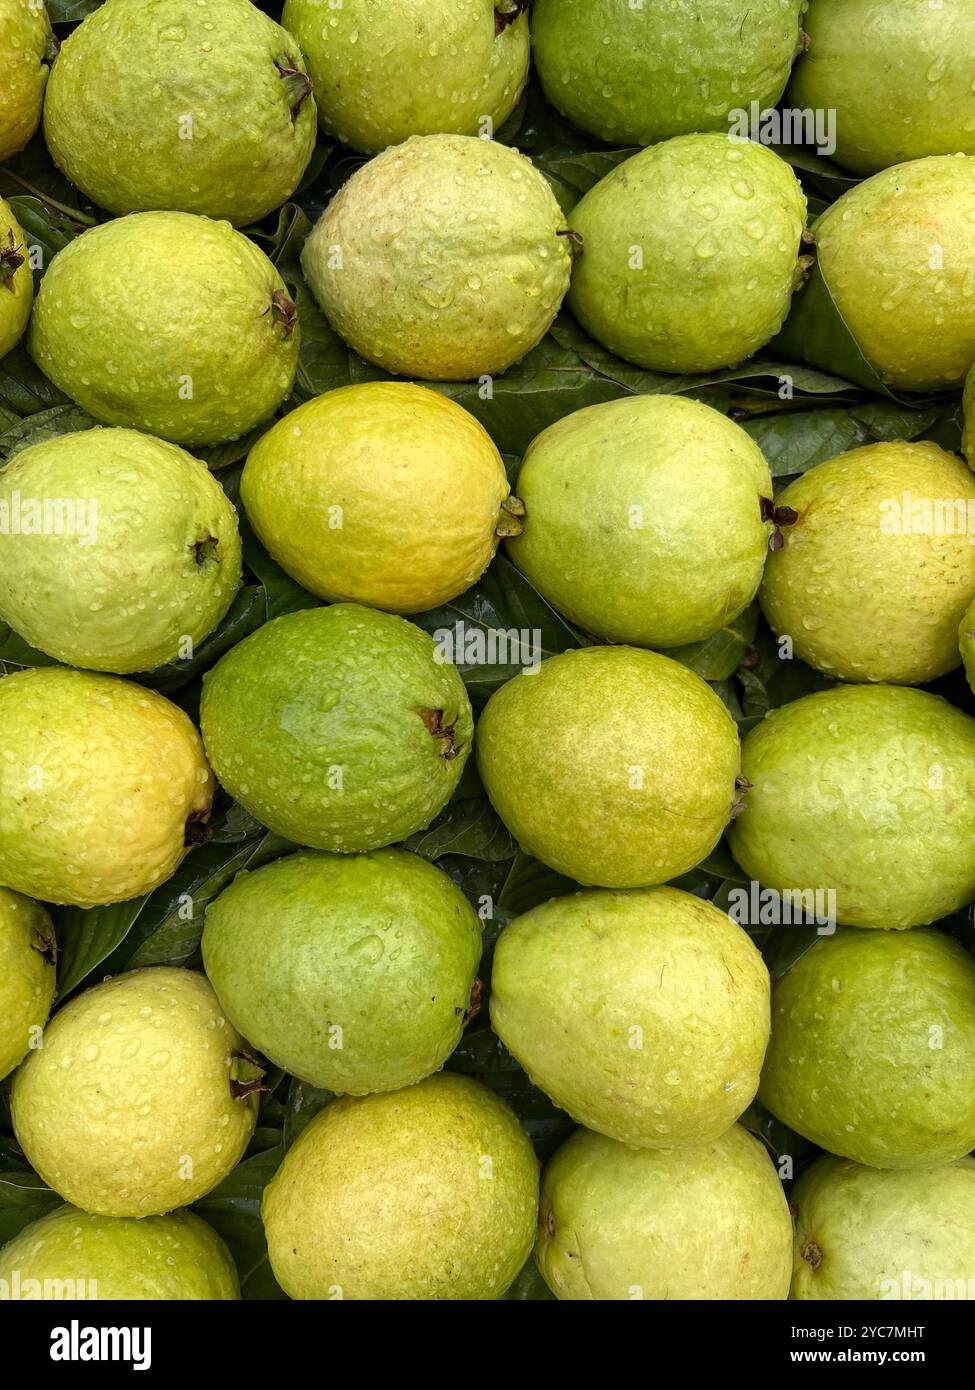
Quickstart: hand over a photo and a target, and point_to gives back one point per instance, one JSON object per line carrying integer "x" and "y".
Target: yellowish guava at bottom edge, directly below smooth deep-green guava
{"x": 429, "y": 1193}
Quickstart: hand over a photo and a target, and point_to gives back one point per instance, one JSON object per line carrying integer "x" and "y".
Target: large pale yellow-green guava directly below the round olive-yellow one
{"x": 643, "y": 1014}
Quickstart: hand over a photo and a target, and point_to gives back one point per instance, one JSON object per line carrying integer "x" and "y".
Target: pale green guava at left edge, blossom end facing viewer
{"x": 154, "y": 568}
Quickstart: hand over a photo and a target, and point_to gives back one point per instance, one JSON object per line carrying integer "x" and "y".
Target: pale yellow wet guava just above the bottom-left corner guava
{"x": 141, "y": 1100}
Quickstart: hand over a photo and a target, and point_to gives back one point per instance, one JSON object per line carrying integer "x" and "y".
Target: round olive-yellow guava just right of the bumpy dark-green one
{"x": 611, "y": 765}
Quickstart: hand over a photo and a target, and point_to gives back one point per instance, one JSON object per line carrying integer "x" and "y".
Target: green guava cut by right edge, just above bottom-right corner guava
{"x": 873, "y": 1047}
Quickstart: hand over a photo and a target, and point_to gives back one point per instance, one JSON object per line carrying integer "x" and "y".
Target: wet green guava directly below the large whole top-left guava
{"x": 170, "y": 325}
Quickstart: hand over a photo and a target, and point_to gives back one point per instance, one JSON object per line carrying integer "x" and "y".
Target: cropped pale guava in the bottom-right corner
{"x": 863, "y": 1234}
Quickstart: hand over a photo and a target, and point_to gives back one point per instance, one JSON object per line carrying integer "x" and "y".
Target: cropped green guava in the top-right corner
{"x": 862, "y": 52}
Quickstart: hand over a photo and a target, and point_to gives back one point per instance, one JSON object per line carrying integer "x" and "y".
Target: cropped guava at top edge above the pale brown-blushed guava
{"x": 385, "y": 70}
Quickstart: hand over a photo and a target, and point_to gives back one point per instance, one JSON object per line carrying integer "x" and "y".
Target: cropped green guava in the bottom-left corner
{"x": 69, "y": 1254}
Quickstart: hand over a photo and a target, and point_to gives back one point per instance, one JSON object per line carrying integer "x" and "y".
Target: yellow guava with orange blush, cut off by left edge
{"x": 104, "y": 787}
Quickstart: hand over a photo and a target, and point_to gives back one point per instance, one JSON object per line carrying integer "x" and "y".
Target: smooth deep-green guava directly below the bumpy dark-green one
{"x": 354, "y": 974}
